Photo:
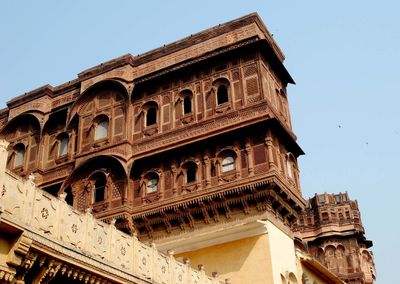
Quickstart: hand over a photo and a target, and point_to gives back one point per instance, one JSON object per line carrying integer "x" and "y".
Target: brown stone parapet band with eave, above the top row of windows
{"x": 132, "y": 70}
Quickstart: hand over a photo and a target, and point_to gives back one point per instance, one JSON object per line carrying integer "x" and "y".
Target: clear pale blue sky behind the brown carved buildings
{"x": 343, "y": 55}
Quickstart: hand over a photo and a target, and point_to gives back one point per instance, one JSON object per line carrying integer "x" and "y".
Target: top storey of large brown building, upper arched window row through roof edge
{"x": 215, "y": 81}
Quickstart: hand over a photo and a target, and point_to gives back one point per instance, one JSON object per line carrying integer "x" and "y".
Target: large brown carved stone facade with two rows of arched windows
{"x": 186, "y": 138}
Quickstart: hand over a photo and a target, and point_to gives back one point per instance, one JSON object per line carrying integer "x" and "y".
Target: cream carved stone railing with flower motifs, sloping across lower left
{"x": 53, "y": 218}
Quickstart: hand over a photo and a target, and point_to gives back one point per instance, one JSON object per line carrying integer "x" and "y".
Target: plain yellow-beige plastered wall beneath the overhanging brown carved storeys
{"x": 258, "y": 259}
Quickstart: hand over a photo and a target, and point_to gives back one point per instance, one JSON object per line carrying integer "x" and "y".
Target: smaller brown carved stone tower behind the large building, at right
{"x": 331, "y": 227}
